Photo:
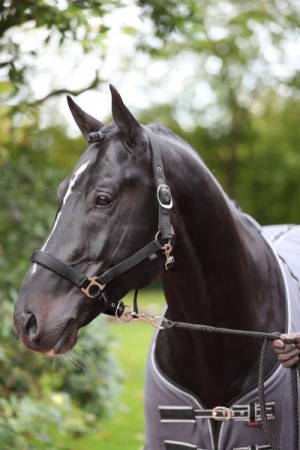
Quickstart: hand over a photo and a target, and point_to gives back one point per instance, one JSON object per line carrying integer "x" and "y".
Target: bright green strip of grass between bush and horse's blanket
{"x": 125, "y": 429}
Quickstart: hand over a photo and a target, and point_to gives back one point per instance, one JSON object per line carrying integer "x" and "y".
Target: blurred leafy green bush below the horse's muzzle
{"x": 43, "y": 400}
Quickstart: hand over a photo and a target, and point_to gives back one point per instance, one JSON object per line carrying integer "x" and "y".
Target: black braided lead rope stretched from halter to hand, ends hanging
{"x": 267, "y": 338}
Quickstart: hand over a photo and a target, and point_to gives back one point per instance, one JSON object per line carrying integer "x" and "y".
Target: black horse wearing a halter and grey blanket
{"x": 138, "y": 198}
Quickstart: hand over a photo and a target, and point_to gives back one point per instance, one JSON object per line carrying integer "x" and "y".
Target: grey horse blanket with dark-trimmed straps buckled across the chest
{"x": 176, "y": 420}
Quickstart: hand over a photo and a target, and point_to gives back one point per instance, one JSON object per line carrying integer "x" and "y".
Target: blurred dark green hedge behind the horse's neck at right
{"x": 257, "y": 164}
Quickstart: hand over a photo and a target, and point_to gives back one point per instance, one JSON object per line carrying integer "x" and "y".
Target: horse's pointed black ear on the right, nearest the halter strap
{"x": 131, "y": 131}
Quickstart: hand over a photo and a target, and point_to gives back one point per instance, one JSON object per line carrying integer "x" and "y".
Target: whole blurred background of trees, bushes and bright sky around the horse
{"x": 222, "y": 74}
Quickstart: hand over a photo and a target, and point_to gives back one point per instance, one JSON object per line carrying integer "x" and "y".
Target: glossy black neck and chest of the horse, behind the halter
{"x": 225, "y": 276}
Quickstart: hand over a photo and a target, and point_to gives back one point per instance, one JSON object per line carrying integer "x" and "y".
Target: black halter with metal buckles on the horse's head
{"x": 94, "y": 287}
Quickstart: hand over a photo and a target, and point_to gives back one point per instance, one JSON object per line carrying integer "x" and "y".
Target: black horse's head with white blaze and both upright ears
{"x": 107, "y": 211}
